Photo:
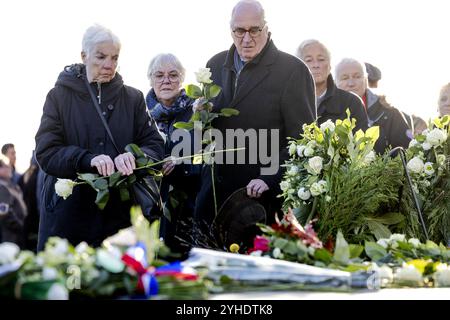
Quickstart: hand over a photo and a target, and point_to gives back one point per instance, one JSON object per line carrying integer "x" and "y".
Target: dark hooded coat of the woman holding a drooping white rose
{"x": 70, "y": 135}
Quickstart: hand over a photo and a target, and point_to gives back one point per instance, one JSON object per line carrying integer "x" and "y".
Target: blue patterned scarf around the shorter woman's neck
{"x": 165, "y": 116}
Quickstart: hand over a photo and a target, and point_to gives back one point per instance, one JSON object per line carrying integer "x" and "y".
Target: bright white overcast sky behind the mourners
{"x": 407, "y": 40}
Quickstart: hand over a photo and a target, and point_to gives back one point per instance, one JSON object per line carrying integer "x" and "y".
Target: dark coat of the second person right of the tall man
{"x": 393, "y": 125}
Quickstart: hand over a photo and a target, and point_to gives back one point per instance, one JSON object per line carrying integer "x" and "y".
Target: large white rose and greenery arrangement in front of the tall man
{"x": 334, "y": 174}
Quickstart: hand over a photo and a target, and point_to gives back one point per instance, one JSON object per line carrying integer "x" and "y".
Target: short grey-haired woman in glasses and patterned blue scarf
{"x": 168, "y": 104}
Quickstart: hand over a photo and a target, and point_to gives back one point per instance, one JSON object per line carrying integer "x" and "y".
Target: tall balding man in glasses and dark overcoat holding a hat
{"x": 272, "y": 91}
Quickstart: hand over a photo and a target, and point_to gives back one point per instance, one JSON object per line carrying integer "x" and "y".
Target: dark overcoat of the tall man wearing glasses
{"x": 274, "y": 90}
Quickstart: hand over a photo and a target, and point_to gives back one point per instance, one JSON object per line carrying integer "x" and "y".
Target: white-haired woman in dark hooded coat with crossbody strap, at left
{"x": 73, "y": 138}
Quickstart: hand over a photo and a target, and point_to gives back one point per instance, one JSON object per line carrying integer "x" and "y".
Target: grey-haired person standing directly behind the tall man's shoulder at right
{"x": 332, "y": 102}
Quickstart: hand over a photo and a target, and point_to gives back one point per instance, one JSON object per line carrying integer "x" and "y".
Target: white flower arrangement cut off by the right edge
{"x": 429, "y": 167}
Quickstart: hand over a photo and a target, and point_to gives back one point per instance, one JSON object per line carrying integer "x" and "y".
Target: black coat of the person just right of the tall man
{"x": 335, "y": 103}
